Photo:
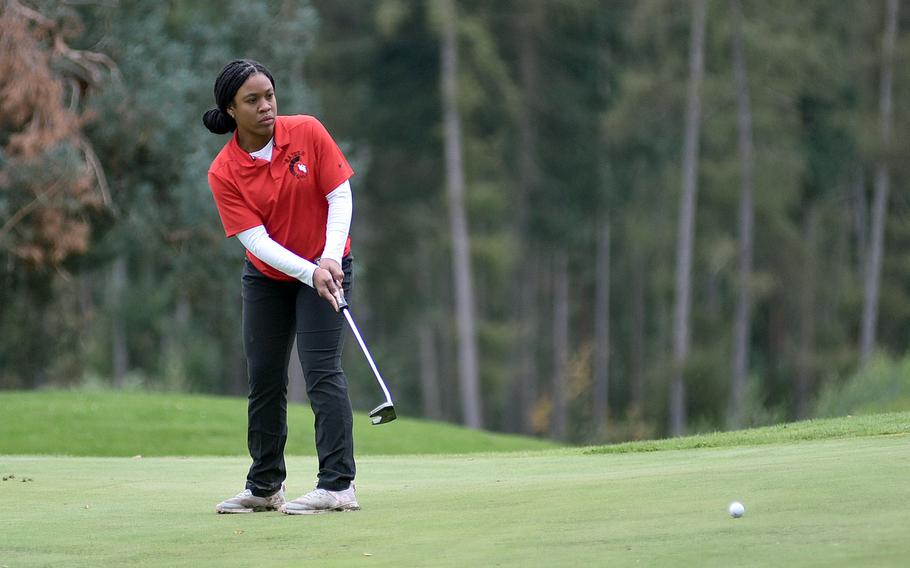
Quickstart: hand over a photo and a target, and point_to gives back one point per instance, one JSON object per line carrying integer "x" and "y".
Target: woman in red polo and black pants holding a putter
{"x": 281, "y": 186}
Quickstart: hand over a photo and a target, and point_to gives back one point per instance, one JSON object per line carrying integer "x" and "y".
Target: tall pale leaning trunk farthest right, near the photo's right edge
{"x": 872, "y": 283}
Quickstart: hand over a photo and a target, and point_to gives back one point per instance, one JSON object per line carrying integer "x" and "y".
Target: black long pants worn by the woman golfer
{"x": 273, "y": 312}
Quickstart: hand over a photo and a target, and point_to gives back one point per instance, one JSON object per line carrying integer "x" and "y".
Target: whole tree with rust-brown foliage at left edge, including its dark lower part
{"x": 55, "y": 192}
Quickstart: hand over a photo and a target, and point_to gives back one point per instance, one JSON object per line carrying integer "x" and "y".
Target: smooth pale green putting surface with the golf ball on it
{"x": 836, "y": 502}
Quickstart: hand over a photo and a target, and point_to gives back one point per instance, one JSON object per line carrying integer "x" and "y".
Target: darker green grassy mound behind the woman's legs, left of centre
{"x": 133, "y": 423}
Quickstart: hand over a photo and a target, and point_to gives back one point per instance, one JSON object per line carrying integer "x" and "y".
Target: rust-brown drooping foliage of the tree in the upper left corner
{"x": 56, "y": 179}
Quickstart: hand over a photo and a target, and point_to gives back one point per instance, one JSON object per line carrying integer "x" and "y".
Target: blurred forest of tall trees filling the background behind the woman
{"x": 586, "y": 220}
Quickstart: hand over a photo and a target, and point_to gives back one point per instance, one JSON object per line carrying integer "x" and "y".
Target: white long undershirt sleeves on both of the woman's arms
{"x": 262, "y": 246}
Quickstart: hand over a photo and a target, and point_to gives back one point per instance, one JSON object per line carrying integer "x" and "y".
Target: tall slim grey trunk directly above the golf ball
{"x": 743, "y": 319}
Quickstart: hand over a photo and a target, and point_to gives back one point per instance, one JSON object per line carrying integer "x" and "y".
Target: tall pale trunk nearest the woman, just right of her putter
{"x": 461, "y": 249}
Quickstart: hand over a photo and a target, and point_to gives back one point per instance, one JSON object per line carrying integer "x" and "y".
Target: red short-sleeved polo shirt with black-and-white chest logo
{"x": 286, "y": 195}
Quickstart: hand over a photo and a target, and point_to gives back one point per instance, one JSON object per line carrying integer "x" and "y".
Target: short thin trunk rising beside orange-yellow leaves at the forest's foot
{"x": 560, "y": 346}
